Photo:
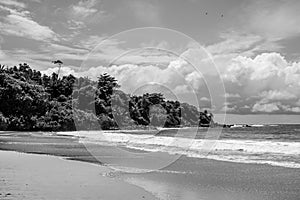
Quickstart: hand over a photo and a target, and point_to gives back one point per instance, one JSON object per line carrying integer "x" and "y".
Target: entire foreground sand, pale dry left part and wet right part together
{"x": 213, "y": 180}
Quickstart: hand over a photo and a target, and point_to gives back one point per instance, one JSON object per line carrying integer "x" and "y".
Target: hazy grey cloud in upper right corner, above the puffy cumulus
{"x": 261, "y": 28}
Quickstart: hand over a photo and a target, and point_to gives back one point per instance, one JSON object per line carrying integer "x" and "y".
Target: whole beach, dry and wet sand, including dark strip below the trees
{"x": 186, "y": 178}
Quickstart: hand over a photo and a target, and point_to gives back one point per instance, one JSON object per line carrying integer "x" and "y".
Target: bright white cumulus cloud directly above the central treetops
{"x": 177, "y": 75}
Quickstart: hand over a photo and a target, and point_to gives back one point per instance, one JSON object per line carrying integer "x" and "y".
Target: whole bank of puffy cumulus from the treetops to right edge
{"x": 266, "y": 83}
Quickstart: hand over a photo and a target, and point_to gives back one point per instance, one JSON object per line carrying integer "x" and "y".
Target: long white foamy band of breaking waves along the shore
{"x": 275, "y": 153}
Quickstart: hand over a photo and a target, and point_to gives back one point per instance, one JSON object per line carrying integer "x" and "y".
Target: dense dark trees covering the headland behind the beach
{"x": 33, "y": 101}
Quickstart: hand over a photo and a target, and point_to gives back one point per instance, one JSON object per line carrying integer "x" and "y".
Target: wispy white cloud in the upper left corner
{"x": 20, "y": 23}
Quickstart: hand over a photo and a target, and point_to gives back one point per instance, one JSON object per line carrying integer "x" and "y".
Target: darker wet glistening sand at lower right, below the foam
{"x": 193, "y": 179}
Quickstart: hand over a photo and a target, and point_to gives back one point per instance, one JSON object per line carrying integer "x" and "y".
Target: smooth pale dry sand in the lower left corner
{"x": 29, "y": 176}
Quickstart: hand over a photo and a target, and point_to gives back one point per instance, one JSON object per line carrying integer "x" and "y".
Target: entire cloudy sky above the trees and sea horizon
{"x": 234, "y": 56}
